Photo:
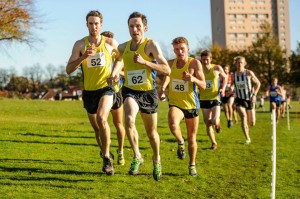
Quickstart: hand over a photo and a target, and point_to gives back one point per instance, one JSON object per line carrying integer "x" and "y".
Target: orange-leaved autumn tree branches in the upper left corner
{"x": 17, "y": 20}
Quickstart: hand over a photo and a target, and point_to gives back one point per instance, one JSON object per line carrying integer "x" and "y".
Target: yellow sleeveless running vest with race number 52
{"x": 96, "y": 68}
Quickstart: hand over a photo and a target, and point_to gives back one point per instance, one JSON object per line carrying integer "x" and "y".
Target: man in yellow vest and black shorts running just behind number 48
{"x": 210, "y": 96}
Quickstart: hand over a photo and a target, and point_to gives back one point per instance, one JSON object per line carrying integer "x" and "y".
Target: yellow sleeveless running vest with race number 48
{"x": 182, "y": 94}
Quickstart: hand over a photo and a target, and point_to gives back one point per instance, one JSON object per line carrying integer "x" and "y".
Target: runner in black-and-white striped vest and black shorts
{"x": 245, "y": 95}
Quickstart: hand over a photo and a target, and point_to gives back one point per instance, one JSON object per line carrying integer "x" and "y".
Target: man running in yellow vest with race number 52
{"x": 93, "y": 54}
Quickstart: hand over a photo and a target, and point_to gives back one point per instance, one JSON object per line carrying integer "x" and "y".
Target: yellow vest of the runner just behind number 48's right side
{"x": 212, "y": 86}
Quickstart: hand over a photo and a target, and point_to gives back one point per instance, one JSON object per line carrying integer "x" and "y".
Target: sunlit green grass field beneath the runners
{"x": 48, "y": 150}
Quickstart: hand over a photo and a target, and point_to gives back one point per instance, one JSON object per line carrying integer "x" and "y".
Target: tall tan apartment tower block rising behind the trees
{"x": 236, "y": 23}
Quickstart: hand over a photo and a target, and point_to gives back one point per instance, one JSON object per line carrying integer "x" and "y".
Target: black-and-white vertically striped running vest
{"x": 242, "y": 85}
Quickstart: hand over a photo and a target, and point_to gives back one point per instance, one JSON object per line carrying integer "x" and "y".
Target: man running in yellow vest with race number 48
{"x": 183, "y": 83}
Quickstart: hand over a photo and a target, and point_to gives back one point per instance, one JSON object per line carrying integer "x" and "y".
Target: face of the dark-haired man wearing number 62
{"x": 136, "y": 28}
